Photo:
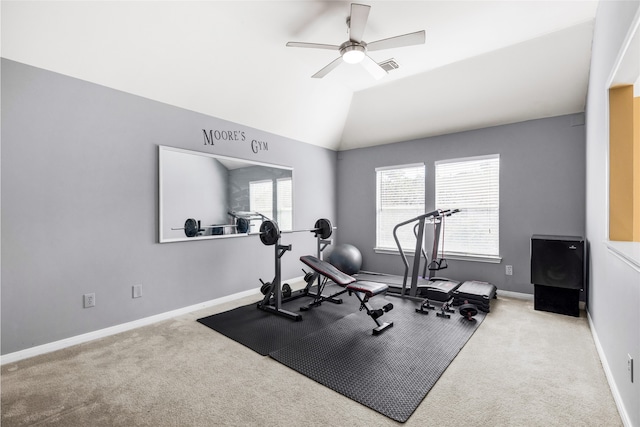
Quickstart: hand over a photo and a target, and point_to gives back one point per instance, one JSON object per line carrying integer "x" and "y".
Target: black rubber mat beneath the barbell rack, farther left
{"x": 264, "y": 332}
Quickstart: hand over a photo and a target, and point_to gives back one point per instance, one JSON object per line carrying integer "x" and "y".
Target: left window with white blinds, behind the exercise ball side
{"x": 399, "y": 197}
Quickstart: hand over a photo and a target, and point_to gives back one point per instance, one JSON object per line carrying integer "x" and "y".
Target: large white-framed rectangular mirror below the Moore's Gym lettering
{"x": 208, "y": 196}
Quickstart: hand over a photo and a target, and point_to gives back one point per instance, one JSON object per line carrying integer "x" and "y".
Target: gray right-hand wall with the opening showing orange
{"x": 615, "y": 283}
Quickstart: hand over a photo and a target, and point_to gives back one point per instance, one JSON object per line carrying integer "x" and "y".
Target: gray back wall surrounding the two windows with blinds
{"x": 542, "y": 191}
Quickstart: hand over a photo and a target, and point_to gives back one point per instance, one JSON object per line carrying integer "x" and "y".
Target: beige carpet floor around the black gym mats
{"x": 521, "y": 368}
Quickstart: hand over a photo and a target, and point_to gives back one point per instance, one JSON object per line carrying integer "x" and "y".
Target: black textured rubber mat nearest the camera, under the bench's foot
{"x": 390, "y": 373}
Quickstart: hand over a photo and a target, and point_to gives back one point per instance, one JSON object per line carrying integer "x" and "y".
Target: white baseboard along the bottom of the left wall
{"x": 102, "y": 333}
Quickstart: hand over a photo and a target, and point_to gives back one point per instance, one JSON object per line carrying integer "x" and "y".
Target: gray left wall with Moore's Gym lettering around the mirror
{"x": 80, "y": 208}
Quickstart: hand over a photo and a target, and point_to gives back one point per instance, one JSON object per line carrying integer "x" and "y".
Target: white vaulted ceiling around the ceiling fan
{"x": 484, "y": 63}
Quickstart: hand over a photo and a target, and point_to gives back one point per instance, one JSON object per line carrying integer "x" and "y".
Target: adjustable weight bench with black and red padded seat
{"x": 364, "y": 290}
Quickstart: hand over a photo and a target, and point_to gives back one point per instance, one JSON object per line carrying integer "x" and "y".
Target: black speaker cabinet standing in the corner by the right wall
{"x": 558, "y": 273}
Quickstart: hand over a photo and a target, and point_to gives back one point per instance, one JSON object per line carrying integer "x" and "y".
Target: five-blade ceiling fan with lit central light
{"x": 355, "y": 49}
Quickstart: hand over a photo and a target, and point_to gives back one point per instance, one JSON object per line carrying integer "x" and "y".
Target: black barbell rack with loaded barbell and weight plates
{"x": 276, "y": 293}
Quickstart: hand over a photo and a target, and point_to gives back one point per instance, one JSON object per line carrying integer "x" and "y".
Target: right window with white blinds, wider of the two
{"x": 471, "y": 185}
